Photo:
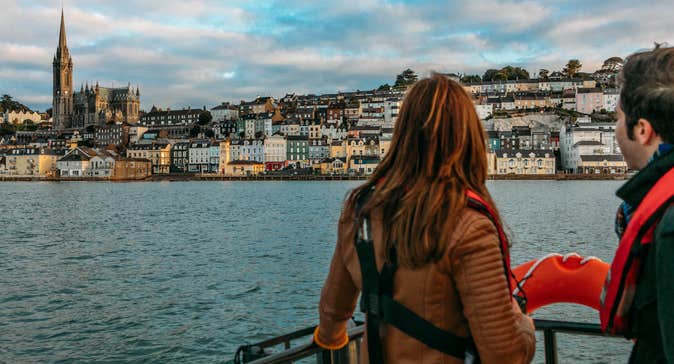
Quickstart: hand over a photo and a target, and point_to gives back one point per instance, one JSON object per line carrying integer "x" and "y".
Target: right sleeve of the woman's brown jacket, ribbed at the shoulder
{"x": 501, "y": 332}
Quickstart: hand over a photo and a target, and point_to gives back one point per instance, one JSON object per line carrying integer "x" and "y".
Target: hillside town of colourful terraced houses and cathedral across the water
{"x": 557, "y": 122}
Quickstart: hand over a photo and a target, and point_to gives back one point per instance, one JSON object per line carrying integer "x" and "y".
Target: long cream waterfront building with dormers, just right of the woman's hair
{"x": 529, "y": 162}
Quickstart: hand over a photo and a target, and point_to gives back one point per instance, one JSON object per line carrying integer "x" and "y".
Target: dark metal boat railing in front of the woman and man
{"x": 260, "y": 353}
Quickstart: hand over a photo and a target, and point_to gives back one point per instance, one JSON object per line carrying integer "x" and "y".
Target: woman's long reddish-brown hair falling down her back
{"x": 437, "y": 152}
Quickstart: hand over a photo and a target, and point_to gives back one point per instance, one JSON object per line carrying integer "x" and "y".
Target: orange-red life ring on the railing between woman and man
{"x": 557, "y": 278}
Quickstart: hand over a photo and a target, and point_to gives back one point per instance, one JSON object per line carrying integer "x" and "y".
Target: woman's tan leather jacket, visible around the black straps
{"x": 465, "y": 293}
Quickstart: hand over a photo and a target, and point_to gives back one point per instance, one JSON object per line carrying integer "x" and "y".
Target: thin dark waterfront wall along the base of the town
{"x": 212, "y": 177}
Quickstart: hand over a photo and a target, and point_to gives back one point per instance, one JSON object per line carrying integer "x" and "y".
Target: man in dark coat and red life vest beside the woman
{"x": 638, "y": 297}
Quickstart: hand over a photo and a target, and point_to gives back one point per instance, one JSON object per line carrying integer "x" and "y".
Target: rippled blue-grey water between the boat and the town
{"x": 185, "y": 272}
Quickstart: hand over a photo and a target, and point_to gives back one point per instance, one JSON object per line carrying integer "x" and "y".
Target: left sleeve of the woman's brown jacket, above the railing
{"x": 338, "y": 297}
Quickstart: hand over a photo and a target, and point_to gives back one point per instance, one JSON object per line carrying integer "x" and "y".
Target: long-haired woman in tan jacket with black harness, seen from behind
{"x": 437, "y": 289}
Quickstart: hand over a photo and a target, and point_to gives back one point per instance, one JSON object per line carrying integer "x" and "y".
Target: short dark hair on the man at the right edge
{"x": 647, "y": 91}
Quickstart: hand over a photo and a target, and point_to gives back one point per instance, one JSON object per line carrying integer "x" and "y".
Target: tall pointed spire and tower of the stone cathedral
{"x": 62, "y": 107}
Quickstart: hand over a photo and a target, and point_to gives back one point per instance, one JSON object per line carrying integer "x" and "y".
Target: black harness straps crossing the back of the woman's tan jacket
{"x": 378, "y": 304}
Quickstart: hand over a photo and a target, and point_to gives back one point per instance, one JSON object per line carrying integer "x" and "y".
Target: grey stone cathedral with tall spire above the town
{"x": 92, "y": 105}
